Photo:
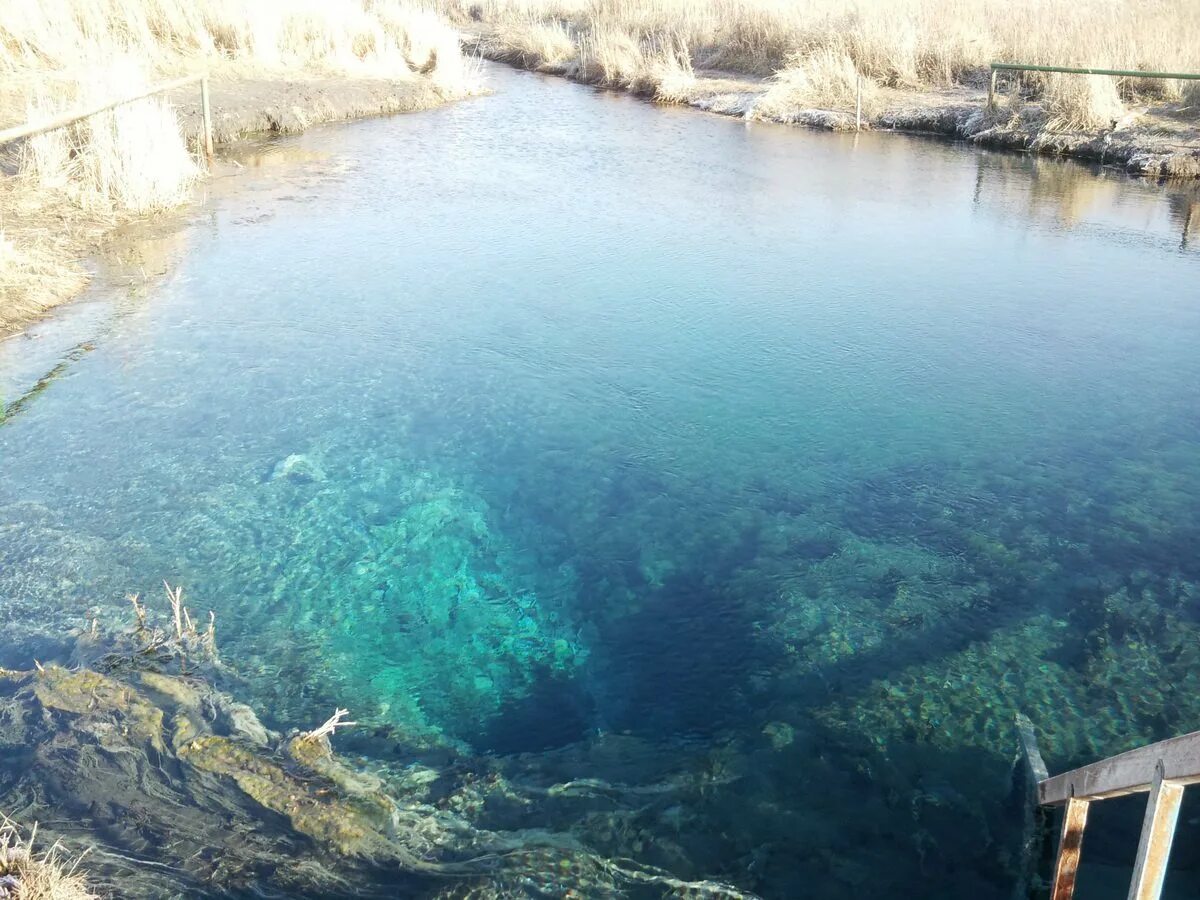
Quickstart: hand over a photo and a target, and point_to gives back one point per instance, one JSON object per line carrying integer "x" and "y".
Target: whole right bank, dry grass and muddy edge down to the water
{"x": 919, "y": 69}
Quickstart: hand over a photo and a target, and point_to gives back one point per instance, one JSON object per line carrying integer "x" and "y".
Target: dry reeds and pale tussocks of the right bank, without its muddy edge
{"x": 811, "y": 49}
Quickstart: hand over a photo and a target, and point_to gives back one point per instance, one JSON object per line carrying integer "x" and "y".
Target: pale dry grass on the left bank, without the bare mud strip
{"x": 75, "y": 184}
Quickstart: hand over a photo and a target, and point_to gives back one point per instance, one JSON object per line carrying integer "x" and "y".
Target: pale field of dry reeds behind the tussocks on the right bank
{"x": 926, "y": 41}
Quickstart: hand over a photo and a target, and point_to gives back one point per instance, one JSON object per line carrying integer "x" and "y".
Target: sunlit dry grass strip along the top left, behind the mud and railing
{"x": 395, "y": 39}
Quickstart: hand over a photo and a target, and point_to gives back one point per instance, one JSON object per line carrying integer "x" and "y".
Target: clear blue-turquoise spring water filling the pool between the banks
{"x": 764, "y": 473}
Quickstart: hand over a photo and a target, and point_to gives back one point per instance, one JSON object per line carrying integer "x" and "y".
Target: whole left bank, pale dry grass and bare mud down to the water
{"x": 273, "y": 70}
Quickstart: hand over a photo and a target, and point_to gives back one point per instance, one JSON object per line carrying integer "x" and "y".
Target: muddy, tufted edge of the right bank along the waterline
{"x": 1153, "y": 143}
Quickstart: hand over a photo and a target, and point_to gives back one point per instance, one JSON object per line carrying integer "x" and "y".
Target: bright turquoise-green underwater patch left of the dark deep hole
{"x": 415, "y": 599}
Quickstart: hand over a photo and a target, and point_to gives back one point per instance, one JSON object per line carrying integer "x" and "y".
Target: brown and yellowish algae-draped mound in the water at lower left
{"x": 133, "y": 759}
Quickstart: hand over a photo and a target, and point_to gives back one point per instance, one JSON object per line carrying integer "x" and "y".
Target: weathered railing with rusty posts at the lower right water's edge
{"x": 1161, "y": 770}
